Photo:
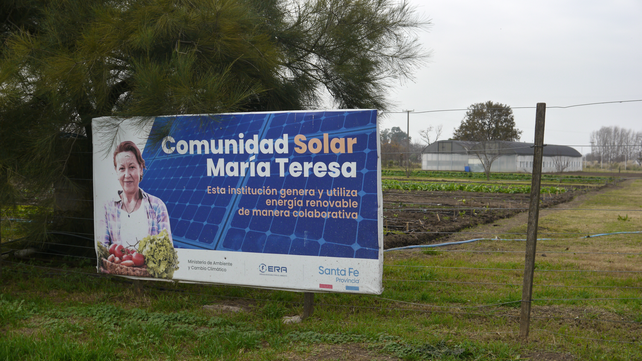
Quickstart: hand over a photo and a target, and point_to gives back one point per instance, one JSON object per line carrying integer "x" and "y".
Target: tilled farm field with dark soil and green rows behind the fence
{"x": 414, "y": 216}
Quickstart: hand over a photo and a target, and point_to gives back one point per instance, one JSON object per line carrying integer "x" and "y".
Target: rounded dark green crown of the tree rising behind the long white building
{"x": 488, "y": 122}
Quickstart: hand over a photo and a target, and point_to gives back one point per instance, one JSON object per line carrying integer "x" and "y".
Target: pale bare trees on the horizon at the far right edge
{"x": 615, "y": 144}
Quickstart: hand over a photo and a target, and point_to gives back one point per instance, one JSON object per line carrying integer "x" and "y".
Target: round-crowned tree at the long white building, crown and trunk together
{"x": 486, "y": 129}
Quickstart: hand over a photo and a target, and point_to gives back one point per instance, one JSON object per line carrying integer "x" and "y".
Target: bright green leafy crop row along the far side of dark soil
{"x": 466, "y": 187}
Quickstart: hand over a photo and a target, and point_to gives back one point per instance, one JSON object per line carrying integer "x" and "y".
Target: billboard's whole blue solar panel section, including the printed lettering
{"x": 290, "y": 183}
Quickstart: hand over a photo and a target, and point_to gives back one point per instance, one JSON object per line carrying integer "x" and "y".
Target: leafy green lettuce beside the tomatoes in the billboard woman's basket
{"x": 160, "y": 256}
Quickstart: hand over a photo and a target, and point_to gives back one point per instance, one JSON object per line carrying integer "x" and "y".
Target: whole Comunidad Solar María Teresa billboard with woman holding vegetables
{"x": 283, "y": 200}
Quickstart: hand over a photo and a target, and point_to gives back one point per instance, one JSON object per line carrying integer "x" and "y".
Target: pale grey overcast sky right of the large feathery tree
{"x": 520, "y": 53}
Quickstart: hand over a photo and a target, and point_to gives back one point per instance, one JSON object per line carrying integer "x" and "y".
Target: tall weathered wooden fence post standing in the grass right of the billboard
{"x": 533, "y": 216}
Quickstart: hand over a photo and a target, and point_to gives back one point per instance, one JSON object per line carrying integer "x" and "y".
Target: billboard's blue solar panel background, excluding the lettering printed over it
{"x": 211, "y": 221}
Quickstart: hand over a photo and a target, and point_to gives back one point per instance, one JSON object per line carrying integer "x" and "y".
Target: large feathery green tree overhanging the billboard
{"x": 67, "y": 62}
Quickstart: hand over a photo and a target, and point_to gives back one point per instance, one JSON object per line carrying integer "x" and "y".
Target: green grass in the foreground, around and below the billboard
{"x": 447, "y": 303}
